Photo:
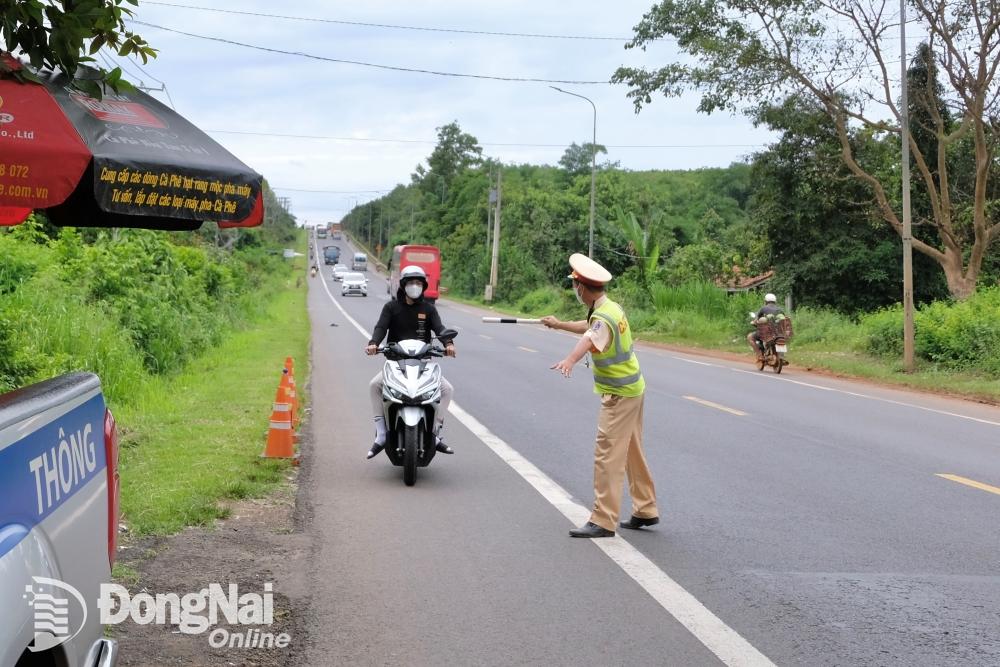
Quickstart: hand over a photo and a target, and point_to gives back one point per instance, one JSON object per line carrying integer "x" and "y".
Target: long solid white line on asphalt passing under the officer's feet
{"x": 727, "y": 644}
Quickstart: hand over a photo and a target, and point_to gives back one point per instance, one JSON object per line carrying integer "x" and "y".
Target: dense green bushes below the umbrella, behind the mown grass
{"x": 123, "y": 305}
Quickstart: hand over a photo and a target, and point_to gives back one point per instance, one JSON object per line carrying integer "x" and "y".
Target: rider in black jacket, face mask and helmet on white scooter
{"x": 409, "y": 316}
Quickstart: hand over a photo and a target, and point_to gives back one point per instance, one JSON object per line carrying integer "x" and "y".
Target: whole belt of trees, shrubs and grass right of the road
{"x": 676, "y": 240}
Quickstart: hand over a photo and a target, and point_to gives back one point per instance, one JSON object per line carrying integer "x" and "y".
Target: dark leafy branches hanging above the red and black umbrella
{"x": 55, "y": 35}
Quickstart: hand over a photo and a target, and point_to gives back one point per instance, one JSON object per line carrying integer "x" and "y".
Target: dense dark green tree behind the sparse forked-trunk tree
{"x": 827, "y": 245}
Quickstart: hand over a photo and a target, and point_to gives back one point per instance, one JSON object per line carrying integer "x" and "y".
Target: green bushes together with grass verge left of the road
{"x": 188, "y": 332}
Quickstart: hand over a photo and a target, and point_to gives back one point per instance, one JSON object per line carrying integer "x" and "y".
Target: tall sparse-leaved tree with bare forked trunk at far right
{"x": 749, "y": 54}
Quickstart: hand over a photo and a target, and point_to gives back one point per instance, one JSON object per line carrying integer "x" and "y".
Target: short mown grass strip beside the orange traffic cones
{"x": 192, "y": 440}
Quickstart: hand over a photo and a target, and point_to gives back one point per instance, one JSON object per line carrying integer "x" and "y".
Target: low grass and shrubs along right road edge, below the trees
{"x": 958, "y": 344}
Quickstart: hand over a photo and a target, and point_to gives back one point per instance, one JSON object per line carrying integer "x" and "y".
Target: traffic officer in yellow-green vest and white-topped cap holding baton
{"x": 617, "y": 379}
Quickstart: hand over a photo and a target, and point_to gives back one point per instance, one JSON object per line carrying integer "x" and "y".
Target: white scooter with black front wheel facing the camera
{"x": 411, "y": 397}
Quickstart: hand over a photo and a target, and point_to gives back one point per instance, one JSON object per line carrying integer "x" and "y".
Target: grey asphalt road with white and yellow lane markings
{"x": 805, "y": 520}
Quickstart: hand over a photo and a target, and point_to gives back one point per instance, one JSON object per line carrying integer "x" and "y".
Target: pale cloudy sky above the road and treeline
{"x": 250, "y": 100}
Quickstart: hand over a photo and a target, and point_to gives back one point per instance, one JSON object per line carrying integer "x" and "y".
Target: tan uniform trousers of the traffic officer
{"x": 619, "y": 452}
